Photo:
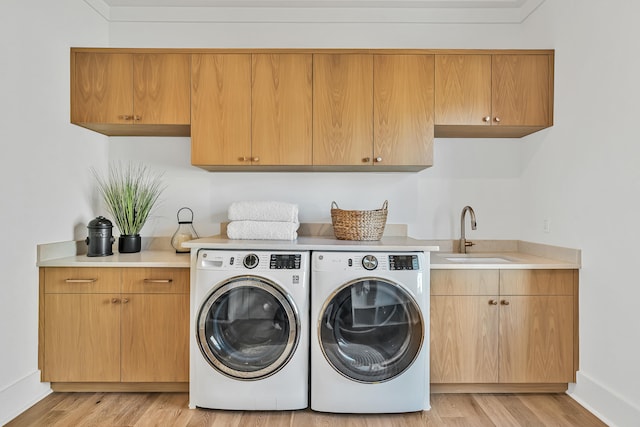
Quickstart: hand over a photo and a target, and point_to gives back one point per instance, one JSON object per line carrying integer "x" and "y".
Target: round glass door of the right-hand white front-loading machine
{"x": 371, "y": 330}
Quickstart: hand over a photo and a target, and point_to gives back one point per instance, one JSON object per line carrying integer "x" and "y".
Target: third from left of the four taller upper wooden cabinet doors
{"x": 342, "y": 109}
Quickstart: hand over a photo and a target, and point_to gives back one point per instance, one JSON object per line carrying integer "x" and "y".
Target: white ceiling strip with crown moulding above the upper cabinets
{"x": 341, "y": 11}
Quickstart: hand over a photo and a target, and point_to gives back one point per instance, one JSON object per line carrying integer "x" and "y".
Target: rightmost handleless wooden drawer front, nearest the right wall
{"x": 537, "y": 282}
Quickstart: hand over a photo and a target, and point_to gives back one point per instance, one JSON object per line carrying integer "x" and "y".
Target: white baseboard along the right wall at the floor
{"x": 604, "y": 403}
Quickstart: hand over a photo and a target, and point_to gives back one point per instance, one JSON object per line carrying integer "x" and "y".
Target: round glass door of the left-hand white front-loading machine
{"x": 248, "y": 328}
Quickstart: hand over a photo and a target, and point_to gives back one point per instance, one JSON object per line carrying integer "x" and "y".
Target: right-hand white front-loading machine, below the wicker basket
{"x": 370, "y": 332}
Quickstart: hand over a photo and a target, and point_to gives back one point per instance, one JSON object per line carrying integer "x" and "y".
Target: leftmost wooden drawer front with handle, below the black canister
{"x": 81, "y": 280}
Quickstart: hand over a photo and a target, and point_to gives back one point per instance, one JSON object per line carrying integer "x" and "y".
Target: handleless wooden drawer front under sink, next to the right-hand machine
{"x": 464, "y": 282}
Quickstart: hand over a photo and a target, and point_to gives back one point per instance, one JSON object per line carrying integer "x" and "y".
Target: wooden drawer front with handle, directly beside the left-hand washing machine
{"x": 155, "y": 280}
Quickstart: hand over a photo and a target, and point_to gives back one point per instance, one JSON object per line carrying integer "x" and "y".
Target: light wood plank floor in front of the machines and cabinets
{"x": 170, "y": 409}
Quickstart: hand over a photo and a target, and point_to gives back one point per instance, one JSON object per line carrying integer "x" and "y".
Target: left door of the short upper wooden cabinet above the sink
{"x": 463, "y": 90}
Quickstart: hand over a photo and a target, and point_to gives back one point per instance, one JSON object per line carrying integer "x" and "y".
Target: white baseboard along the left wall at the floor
{"x": 21, "y": 395}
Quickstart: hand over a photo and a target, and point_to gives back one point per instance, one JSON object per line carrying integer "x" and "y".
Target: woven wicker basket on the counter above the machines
{"x": 358, "y": 225}
